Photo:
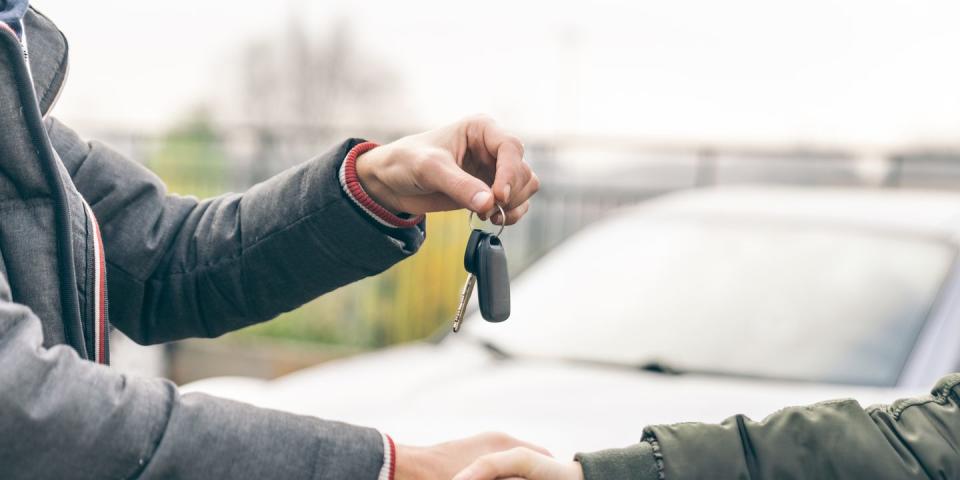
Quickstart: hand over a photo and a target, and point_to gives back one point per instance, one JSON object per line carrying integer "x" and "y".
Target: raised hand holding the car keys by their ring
{"x": 470, "y": 164}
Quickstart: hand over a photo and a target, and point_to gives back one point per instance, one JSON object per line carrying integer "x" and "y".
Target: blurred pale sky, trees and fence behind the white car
{"x": 617, "y": 102}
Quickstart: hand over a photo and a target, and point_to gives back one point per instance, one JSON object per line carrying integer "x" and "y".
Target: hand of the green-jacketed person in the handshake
{"x": 520, "y": 463}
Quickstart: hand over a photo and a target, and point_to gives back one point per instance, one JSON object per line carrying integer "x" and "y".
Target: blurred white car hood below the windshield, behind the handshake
{"x": 427, "y": 393}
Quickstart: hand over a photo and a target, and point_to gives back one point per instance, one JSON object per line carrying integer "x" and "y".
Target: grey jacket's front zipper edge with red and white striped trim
{"x": 69, "y": 302}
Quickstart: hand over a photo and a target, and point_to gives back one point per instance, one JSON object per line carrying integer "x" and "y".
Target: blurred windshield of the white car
{"x": 771, "y": 298}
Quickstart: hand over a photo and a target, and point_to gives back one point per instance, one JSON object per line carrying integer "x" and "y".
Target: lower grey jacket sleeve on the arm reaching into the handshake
{"x": 63, "y": 417}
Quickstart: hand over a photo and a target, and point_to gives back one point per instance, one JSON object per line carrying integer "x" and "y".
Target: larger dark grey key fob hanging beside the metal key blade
{"x": 493, "y": 279}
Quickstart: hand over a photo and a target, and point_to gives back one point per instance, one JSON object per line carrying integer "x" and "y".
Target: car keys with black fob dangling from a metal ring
{"x": 485, "y": 261}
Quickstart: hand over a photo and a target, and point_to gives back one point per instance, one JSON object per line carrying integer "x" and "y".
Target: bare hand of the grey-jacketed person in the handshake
{"x": 443, "y": 461}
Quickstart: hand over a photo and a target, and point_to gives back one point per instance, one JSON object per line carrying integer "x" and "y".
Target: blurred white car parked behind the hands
{"x": 691, "y": 307}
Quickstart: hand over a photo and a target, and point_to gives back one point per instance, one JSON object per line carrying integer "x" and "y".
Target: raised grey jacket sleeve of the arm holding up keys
{"x": 179, "y": 267}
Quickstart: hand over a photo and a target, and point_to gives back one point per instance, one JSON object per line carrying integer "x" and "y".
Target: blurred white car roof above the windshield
{"x": 927, "y": 213}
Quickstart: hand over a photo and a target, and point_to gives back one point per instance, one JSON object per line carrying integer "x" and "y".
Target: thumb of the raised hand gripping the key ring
{"x": 467, "y": 191}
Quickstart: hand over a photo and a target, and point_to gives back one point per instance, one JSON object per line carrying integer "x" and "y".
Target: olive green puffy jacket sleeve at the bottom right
{"x": 912, "y": 438}
